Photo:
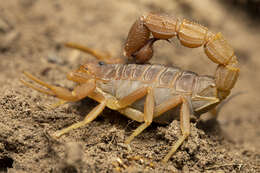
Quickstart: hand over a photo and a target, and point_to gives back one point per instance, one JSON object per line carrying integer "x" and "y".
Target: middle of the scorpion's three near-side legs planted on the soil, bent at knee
{"x": 148, "y": 115}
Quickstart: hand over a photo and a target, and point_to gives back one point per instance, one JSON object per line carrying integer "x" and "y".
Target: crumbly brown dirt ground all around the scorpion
{"x": 32, "y": 34}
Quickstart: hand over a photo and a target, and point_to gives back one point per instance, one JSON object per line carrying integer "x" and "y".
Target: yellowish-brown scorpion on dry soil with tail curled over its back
{"x": 150, "y": 92}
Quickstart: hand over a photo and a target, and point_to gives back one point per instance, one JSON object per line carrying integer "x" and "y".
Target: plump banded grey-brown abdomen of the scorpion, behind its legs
{"x": 120, "y": 80}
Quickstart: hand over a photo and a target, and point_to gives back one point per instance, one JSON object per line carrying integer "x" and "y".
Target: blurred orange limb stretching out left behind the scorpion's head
{"x": 97, "y": 54}
